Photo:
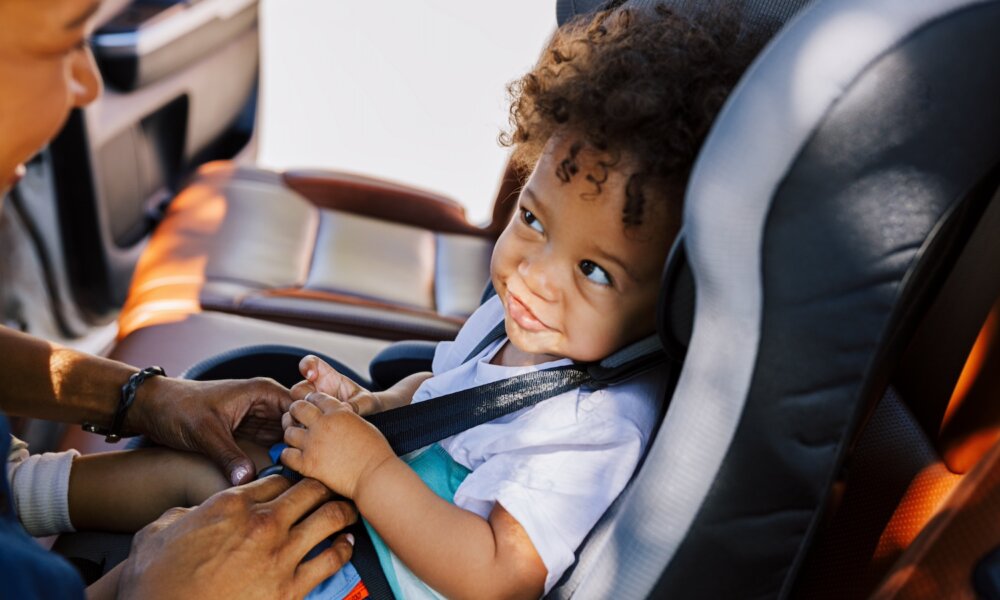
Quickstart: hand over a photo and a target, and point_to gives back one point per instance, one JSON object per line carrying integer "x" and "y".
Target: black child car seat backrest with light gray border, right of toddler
{"x": 819, "y": 221}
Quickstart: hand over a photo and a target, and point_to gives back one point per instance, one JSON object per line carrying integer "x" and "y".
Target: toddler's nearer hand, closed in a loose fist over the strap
{"x": 329, "y": 442}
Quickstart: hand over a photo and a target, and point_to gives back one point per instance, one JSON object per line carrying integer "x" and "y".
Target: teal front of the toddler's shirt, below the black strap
{"x": 443, "y": 475}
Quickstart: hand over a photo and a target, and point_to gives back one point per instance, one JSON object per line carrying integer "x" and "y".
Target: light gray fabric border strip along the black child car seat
{"x": 760, "y": 133}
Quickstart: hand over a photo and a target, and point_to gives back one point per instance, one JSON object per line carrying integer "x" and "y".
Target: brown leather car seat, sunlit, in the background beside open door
{"x": 325, "y": 250}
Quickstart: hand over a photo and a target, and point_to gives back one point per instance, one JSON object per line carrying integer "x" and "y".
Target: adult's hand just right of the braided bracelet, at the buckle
{"x": 203, "y": 416}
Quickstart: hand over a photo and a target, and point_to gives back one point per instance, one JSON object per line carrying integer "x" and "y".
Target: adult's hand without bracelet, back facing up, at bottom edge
{"x": 244, "y": 542}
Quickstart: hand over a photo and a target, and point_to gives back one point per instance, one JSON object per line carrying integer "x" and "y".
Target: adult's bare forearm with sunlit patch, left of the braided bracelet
{"x": 47, "y": 381}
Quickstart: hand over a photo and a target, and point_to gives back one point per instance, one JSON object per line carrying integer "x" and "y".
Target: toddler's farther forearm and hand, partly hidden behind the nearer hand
{"x": 321, "y": 377}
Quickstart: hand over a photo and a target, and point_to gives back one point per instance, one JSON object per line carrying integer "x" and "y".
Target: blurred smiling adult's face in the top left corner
{"x": 46, "y": 69}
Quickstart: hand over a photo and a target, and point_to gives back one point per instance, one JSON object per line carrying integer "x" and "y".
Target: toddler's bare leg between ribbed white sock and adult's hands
{"x": 125, "y": 491}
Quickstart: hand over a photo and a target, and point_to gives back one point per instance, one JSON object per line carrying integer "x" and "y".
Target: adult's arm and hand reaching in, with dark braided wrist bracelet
{"x": 47, "y": 381}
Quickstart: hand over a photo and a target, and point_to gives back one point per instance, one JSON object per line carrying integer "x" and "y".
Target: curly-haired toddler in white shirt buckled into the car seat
{"x": 608, "y": 123}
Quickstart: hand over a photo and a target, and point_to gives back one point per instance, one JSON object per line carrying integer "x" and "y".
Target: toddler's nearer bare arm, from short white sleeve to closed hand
{"x": 454, "y": 551}
